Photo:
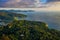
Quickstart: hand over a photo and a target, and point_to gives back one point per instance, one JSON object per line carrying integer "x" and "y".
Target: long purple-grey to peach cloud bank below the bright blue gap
{"x": 31, "y": 3}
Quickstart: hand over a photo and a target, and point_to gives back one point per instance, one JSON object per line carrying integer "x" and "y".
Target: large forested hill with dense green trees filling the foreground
{"x": 28, "y": 30}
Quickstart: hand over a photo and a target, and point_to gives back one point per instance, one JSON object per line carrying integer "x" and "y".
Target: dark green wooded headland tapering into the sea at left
{"x": 10, "y": 15}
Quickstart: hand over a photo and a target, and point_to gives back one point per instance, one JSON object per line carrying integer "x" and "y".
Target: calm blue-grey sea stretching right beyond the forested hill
{"x": 51, "y": 18}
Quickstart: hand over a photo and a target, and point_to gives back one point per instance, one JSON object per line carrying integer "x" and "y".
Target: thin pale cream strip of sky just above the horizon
{"x": 37, "y": 9}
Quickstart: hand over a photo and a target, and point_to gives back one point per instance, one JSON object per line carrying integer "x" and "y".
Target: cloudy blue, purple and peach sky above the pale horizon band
{"x": 44, "y": 4}
